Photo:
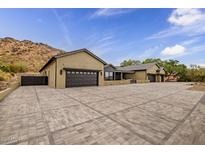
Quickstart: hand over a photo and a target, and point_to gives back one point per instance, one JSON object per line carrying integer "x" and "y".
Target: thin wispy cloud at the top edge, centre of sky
{"x": 110, "y": 12}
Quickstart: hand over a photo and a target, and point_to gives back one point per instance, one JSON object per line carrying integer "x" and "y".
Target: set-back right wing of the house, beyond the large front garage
{"x": 142, "y": 72}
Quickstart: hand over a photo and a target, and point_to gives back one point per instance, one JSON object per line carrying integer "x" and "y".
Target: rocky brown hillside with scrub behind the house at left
{"x": 25, "y": 52}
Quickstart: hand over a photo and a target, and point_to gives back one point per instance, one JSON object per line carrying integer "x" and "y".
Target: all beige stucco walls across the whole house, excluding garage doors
{"x": 56, "y": 69}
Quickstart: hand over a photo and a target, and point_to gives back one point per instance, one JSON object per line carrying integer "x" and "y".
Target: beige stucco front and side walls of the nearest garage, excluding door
{"x": 80, "y": 60}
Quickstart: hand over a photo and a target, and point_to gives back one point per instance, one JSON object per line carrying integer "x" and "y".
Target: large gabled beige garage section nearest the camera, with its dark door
{"x": 72, "y": 69}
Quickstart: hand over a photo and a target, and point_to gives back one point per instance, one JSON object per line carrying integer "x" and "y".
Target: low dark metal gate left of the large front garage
{"x": 34, "y": 80}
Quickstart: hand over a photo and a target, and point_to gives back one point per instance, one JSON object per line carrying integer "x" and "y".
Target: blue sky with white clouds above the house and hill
{"x": 113, "y": 34}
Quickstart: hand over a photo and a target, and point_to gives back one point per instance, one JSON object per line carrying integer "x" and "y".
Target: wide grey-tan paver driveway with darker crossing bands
{"x": 155, "y": 113}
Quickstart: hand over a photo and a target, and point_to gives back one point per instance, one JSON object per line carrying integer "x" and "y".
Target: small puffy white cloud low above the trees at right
{"x": 173, "y": 51}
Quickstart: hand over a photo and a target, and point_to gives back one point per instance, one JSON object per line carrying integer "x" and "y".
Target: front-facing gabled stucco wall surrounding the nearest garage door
{"x": 80, "y": 60}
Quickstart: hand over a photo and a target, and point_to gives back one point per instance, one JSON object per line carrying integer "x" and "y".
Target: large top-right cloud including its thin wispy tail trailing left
{"x": 184, "y": 23}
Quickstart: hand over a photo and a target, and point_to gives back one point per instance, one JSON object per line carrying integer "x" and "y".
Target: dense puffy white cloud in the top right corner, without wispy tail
{"x": 184, "y": 17}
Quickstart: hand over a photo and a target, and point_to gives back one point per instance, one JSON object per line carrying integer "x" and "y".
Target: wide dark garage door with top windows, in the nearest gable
{"x": 81, "y": 78}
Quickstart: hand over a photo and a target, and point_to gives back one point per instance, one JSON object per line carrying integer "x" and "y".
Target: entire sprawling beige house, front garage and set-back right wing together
{"x": 83, "y": 68}
